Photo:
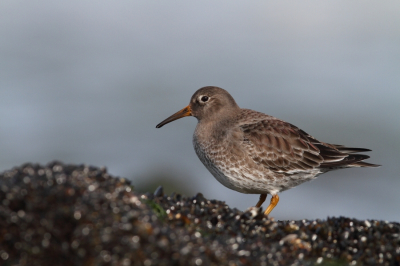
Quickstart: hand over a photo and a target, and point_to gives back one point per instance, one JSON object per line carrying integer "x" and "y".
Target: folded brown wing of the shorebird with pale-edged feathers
{"x": 282, "y": 147}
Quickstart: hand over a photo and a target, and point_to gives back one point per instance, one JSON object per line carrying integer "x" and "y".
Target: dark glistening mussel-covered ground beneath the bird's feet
{"x": 79, "y": 215}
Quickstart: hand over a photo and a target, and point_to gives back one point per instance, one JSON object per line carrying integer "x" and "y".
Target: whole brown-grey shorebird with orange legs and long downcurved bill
{"x": 252, "y": 152}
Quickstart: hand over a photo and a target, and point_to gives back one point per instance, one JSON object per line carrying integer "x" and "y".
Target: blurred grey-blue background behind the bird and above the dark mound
{"x": 87, "y": 82}
